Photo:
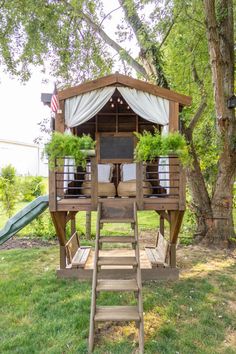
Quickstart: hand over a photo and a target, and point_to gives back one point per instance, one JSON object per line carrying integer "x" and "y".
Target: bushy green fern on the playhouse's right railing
{"x": 150, "y": 146}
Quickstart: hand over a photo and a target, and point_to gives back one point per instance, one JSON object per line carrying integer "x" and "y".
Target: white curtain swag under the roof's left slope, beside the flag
{"x": 80, "y": 109}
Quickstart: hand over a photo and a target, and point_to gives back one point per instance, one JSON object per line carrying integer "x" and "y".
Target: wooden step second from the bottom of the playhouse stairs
{"x": 117, "y": 285}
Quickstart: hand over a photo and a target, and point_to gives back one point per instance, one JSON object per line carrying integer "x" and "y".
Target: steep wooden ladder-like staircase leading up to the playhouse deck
{"x": 109, "y": 213}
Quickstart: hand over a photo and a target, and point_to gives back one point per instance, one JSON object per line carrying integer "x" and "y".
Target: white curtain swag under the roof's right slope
{"x": 154, "y": 109}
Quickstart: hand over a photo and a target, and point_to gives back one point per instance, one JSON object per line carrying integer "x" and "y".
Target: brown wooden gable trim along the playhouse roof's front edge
{"x": 117, "y": 80}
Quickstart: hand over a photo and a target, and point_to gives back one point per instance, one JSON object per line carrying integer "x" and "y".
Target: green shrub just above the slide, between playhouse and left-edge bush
{"x": 32, "y": 187}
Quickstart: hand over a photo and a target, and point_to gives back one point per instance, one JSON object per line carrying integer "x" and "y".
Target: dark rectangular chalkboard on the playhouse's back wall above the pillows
{"x": 116, "y": 147}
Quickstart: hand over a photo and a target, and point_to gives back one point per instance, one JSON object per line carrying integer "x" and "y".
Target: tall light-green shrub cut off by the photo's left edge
{"x": 8, "y": 189}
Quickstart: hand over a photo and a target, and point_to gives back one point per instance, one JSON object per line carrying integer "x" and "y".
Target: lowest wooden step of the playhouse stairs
{"x": 116, "y": 313}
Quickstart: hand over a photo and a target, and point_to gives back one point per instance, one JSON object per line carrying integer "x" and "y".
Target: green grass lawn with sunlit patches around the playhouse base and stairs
{"x": 41, "y": 314}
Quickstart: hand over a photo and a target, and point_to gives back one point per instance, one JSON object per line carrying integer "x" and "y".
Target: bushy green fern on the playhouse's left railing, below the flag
{"x": 69, "y": 146}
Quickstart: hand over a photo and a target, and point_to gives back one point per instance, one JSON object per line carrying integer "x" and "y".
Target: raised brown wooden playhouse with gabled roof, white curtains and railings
{"x": 110, "y": 109}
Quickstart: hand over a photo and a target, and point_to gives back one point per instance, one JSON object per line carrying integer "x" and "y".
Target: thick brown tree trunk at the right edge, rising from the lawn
{"x": 219, "y": 28}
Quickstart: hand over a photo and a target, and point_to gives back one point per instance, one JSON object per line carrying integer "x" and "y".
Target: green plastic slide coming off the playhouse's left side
{"x": 23, "y": 218}
